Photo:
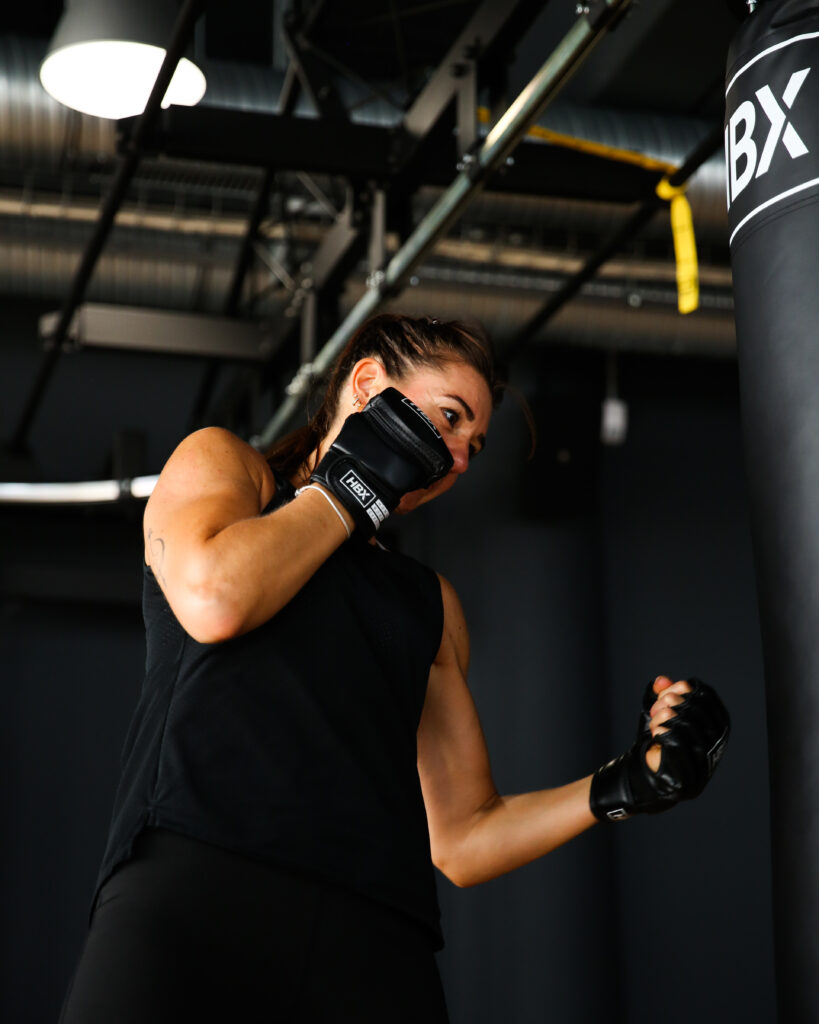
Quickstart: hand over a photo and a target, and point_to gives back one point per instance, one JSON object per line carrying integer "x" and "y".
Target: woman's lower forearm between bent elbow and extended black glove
{"x": 510, "y": 832}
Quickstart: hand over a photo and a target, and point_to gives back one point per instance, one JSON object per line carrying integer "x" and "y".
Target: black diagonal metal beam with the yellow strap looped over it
{"x": 613, "y": 244}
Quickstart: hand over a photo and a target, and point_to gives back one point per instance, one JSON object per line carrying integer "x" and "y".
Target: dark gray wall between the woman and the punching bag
{"x": 641, "y": 565}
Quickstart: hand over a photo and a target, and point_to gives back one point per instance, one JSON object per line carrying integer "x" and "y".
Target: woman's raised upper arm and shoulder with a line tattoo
{"x": 212, "y": 481}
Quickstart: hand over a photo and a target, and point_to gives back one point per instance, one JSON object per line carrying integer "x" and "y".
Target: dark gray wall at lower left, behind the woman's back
{"x": 70, "y": 678}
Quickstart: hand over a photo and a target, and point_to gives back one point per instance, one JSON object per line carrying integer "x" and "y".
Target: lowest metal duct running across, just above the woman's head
{"x": 137, "y": 271}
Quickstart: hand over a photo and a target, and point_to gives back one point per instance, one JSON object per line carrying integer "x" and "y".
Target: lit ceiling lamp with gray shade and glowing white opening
{"x": 106, "y": 56}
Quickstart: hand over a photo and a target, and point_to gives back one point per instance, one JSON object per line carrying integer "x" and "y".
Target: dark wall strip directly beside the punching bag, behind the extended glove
{"x": 681, "y": 596}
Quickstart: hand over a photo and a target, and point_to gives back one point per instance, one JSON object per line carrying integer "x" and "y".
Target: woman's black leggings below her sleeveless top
{"x": 189, "y": 932}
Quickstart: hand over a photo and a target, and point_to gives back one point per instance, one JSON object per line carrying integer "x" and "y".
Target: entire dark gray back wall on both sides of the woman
{"x": 582, "y": 575}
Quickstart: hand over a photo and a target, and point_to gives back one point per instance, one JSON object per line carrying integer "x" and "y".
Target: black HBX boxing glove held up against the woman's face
{"x": 381, "y": 454}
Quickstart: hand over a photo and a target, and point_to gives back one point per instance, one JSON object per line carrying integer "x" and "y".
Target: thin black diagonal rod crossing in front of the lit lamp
{"x": 183, "y": 33}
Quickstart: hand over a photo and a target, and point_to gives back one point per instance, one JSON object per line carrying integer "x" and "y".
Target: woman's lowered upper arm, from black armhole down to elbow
{"x": 453, "y": 760}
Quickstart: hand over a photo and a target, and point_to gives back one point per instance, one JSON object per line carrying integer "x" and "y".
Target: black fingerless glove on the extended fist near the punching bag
{"x": 691, "y": 750}
